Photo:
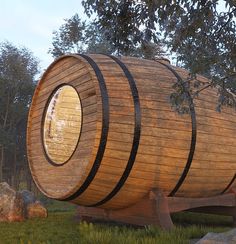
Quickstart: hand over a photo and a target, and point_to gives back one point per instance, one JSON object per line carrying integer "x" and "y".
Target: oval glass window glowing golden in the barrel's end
{"x": 62, "y": 124}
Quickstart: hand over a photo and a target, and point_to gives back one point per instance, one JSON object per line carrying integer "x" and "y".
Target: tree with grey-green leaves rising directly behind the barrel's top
{"x": 75, "y": 36}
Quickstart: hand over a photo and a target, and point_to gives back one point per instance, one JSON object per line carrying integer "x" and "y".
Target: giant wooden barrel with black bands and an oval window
{"x": 101, "y": 132}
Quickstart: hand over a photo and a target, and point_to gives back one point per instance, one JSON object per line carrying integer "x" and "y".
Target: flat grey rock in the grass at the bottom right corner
{"x": 228, "y": 237}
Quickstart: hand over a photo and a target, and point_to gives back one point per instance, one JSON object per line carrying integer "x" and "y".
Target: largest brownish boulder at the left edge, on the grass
{"x": 11, "y": 204}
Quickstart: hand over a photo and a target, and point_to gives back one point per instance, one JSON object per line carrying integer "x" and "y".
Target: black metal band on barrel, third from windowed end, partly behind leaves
{"x": 194, "y": 134}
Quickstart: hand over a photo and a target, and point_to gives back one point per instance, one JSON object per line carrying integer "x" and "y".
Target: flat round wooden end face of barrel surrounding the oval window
{"x": 71, "y": 175}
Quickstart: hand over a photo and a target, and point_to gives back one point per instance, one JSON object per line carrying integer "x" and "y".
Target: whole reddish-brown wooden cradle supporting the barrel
{"x": 155, "y": 209}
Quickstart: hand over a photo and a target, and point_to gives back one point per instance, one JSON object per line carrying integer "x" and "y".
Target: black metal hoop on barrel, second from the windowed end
{"x": 137, "y": 131}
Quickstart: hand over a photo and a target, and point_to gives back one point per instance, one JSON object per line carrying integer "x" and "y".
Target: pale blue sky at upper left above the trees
{"x": 30, "y": 23}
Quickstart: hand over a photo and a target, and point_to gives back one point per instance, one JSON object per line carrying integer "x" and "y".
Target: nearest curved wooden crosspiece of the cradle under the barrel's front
{"x": 151, "y": 210}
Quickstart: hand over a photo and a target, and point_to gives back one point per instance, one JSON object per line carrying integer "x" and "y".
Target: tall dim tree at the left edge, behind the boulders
{"x": 18, "y": 68}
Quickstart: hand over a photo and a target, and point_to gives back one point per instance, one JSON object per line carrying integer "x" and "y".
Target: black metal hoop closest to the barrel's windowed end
{"x": 104, "y": 132}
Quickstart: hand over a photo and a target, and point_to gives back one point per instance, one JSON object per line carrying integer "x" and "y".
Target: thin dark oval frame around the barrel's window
{"x": 43, "y": 123}
